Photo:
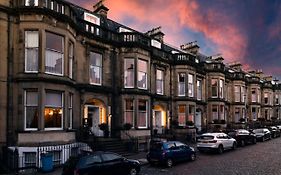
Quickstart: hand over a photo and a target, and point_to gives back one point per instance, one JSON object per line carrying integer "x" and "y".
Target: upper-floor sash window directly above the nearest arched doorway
{"x": 95, "y": 68}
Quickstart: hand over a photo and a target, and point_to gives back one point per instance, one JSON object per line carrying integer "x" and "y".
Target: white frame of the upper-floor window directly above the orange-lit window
{"x": 62, "y": 55}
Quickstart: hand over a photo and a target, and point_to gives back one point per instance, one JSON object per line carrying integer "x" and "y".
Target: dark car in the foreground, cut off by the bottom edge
{"x": 101, "y": 163}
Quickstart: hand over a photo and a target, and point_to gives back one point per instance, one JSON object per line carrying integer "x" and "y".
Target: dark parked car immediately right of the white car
{"x": 243, "y": 137}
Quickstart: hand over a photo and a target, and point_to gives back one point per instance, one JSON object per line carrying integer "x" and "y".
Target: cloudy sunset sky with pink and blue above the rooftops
{"x": 248, "y": 31}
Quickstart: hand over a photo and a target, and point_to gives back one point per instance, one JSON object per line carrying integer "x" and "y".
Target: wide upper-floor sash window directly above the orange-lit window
{"x": 54, "y": 54}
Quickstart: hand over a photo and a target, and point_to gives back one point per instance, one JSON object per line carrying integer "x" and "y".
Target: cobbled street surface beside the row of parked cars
{"x": 260, "y": 159}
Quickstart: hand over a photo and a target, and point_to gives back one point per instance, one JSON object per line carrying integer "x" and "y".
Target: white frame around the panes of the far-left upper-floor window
{"x": 26, "y": 40}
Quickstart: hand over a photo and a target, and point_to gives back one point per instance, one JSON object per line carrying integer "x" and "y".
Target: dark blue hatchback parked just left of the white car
{"x": 169, "y": 152}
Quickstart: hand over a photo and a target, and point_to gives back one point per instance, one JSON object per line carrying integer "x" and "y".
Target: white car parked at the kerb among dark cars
{"x": 216, "y": 141}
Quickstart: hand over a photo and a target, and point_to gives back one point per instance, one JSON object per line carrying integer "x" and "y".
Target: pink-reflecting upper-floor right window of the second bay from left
{"x": 142, "y": 74}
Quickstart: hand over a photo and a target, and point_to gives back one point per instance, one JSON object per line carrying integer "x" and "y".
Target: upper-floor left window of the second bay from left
{"x": 129, "y": 73}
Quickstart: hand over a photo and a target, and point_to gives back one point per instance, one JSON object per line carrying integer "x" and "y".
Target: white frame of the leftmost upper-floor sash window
{"x": 25, "y": 51}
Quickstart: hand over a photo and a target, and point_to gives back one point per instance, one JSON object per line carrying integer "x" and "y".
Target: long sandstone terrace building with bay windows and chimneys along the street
{"x": 63, "y": 67}
